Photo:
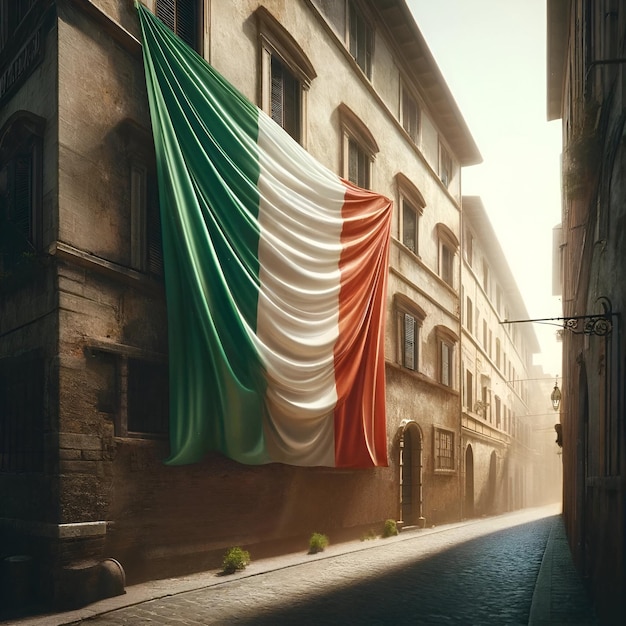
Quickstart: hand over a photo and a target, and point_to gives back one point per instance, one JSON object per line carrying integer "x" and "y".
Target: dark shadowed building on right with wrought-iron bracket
{"x": 586, "y": 78}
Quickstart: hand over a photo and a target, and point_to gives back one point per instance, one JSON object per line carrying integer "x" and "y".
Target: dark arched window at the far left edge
{"x": 20, "y": 190}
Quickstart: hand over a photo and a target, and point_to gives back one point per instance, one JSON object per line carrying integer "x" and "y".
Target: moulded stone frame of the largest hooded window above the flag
{"x": 277, "y": 45}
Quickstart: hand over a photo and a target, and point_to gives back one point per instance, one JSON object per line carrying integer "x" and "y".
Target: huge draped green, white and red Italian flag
{"x": 275, "y": 272}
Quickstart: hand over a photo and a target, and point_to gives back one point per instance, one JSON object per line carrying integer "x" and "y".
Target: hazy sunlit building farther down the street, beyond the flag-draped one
{"x": 499, "y": 382}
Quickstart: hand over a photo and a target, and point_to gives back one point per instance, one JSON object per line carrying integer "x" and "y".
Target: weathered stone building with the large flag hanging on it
{"x": 83, "y": 332}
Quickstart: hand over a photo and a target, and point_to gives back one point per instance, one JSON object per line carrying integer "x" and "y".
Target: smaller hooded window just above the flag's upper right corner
{"x": 359, "y": 148}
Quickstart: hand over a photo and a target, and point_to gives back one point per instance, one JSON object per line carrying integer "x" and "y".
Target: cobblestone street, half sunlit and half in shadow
{"x": 480, "y": 572}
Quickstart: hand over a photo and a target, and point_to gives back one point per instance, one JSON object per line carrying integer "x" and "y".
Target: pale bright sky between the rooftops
{"x": 492, "y": 54}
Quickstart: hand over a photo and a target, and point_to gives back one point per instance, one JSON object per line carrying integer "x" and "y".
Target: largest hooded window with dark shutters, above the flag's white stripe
{"x": 286, "y": 75}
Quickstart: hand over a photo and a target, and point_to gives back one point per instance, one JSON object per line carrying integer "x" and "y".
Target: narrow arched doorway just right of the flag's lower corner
{"x": 410, "y": 473}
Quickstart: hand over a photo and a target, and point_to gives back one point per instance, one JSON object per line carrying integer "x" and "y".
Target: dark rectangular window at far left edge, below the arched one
{"x": 21, "y": 414}
